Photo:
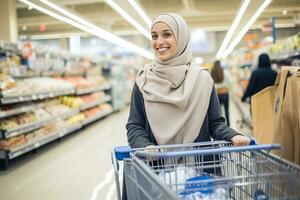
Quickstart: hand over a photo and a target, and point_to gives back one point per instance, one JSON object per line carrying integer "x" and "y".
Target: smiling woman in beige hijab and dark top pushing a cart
{"x": 173, "y": 101}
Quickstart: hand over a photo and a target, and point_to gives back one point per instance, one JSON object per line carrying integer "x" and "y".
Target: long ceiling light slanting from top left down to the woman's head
{"x": 90, "y": 28}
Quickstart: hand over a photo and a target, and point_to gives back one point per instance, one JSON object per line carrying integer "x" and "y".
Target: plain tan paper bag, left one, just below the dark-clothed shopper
{"x": 262, "y": 115}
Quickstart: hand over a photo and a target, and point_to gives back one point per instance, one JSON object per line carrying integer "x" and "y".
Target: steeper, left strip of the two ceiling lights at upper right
{"x": 233, "y": 28}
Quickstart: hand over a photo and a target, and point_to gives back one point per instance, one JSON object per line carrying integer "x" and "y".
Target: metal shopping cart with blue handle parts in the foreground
{"x": 207, "y": 170}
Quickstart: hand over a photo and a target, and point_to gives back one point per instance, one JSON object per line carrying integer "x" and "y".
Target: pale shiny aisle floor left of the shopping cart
{"x": 69, "y": 169}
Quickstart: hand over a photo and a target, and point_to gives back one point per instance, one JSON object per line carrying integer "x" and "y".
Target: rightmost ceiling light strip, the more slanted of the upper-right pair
{"x": 246, "y": 28}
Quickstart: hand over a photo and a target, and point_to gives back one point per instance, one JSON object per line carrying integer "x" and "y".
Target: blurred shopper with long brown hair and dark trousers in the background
{"x": 222, "y": 85}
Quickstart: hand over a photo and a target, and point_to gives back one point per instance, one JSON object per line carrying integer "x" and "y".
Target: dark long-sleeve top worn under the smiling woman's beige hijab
{"x": 140, "y": 134}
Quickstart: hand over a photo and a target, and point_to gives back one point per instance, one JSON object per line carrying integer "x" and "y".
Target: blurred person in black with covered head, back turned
{"x": 260, "y": 78}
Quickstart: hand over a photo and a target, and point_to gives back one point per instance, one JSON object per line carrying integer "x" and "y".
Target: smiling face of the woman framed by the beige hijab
{"x": 163, "y": 41}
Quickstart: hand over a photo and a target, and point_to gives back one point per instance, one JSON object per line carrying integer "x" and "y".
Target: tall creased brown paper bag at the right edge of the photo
{"x": 286, "y": 129}
